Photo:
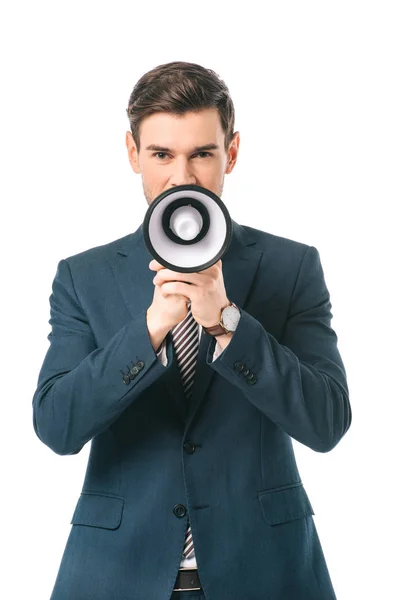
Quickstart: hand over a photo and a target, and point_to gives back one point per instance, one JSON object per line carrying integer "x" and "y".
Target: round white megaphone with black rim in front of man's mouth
{"x": 187, "y": 228}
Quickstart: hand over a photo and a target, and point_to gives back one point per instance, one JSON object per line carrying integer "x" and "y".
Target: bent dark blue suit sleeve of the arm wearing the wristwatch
{"x": 300, "y": 383}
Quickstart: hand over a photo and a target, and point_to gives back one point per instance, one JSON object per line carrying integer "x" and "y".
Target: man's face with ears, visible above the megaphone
{"x": 180, "y": 150}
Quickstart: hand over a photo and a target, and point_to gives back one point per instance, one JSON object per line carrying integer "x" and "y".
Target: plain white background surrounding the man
{"x": 316, "y": 91}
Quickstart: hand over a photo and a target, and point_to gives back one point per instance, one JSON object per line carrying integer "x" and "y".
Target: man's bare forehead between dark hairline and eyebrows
{"x": 160, "y": 127}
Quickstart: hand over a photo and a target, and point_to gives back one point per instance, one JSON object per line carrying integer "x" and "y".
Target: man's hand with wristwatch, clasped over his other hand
{"x": 205, "y": 290}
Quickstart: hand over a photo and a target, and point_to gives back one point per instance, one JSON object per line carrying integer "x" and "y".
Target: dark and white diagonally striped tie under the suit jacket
{"x": 185, "y": 337}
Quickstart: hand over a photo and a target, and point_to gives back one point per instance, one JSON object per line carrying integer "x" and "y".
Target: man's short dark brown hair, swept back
{"x": 177, "y": 88}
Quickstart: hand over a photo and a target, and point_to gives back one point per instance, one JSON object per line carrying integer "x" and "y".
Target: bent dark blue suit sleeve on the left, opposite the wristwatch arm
{"x": 82, "y": 389}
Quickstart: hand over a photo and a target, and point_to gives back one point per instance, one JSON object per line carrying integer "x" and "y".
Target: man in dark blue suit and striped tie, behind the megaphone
{"x": 191, "y": 386}
